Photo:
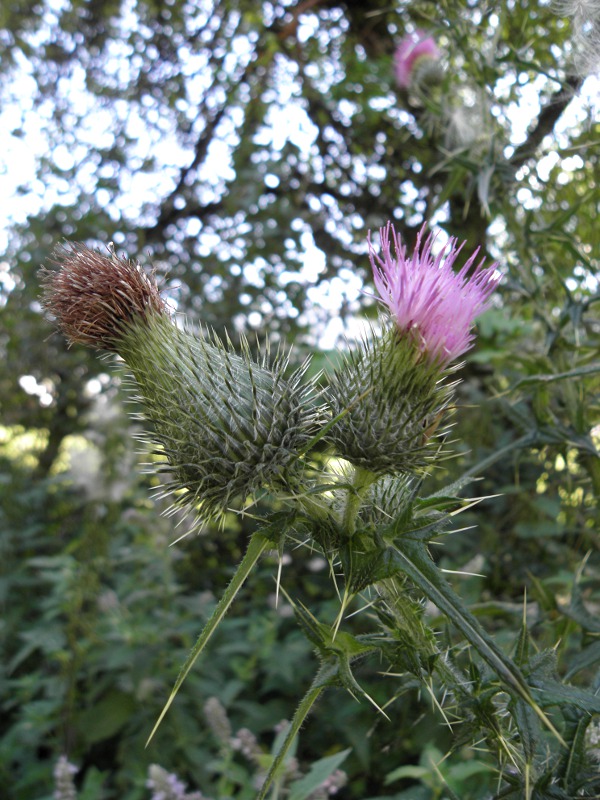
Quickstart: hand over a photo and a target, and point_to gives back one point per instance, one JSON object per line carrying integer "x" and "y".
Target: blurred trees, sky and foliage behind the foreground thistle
{"x": 244, "y": 149}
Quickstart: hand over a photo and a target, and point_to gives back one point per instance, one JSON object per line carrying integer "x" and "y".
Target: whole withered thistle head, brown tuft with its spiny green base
{"x": 227, "y": 424}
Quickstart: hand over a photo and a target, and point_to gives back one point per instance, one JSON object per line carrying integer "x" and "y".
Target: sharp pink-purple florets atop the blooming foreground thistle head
{"x": 428, "y": 300}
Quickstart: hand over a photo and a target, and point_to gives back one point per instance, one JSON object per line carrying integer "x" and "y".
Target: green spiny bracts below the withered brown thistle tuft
{"x": 226, "y": 424}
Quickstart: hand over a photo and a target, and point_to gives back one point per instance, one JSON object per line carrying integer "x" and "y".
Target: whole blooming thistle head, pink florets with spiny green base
{"x": 390, "y": 394}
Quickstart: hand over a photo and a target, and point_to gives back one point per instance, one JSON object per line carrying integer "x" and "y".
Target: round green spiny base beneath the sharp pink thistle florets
{"x": 391, "y": 400}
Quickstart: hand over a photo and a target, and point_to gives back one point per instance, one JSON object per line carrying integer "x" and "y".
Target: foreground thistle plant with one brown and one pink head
{"x": 229, "y": 424}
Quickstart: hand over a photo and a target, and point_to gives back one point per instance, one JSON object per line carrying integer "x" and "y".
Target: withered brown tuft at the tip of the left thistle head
{"x": 94, "y": 297}
